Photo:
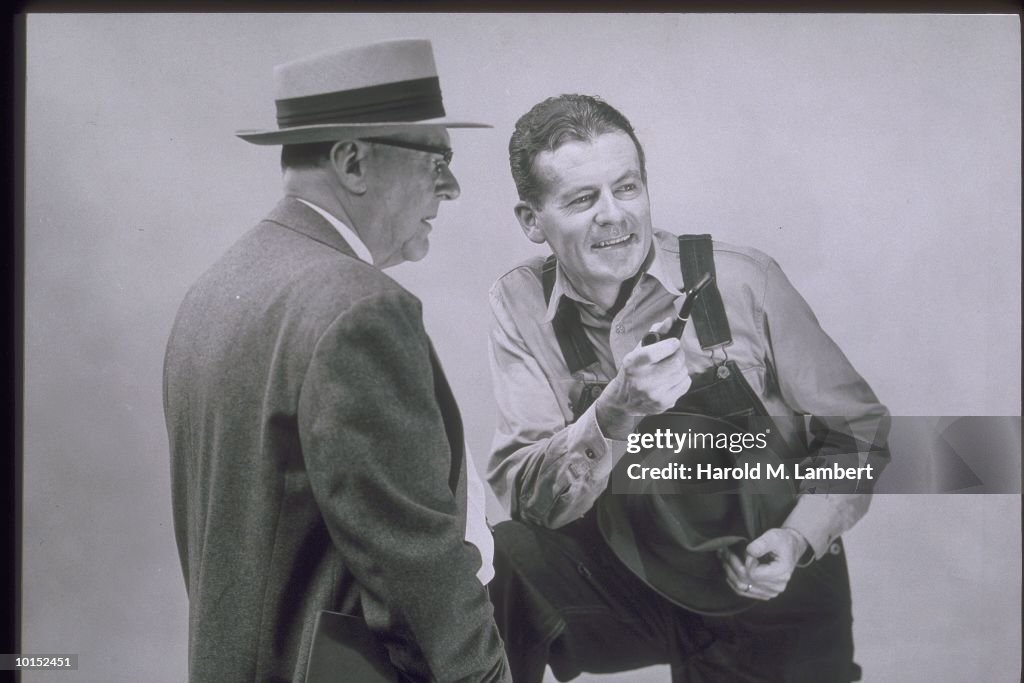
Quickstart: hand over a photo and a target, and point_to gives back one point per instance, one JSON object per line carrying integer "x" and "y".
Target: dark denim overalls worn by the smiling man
{"x": 564, "y": 599}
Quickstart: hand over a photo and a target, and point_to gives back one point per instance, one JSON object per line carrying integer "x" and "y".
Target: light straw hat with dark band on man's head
{"x": 376, "y": 90}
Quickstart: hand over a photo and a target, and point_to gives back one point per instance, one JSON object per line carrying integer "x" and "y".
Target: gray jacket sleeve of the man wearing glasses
{"x": 379, "y": 465}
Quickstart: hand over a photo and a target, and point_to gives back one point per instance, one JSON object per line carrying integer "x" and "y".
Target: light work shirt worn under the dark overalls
{"x": 549, "y": 471}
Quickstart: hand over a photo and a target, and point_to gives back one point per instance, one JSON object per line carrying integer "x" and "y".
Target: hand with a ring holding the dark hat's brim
{"x": 770, "y": 564}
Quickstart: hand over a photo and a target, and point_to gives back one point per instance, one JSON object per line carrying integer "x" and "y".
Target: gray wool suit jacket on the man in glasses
{"x": 318, "y": 463}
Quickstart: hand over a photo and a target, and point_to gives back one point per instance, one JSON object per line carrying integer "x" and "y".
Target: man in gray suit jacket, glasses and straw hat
{"x": 317, "y": 452}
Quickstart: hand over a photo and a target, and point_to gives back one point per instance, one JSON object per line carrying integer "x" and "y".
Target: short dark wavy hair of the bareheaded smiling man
{"x": 554, "y": 122}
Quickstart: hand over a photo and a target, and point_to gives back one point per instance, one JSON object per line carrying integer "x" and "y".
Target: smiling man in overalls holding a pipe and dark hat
{"x": 573, "y": 381}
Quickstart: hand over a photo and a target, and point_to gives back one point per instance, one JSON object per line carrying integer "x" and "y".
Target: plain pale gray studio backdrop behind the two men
{"x": 876, "y": 158}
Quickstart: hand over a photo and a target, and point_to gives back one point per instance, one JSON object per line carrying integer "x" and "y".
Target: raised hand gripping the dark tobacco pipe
{"x": 650, "y": 381}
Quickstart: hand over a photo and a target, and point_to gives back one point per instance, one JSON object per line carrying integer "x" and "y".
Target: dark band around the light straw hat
{"x": 404, "y": 101}
